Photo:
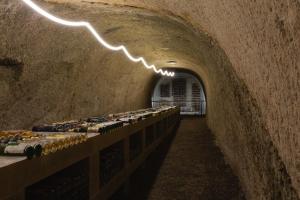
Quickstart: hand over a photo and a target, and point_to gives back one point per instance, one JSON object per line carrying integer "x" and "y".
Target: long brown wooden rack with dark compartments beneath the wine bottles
{"x": 99, "y": 165}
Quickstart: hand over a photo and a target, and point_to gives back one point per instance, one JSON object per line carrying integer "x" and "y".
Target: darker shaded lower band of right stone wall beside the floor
{"x": 241, "y": 132}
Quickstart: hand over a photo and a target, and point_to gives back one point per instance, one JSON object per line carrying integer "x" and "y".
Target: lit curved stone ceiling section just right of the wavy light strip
{"x": 159, "y": 38}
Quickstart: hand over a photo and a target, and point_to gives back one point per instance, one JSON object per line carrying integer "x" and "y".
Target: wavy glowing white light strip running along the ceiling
{"x": 96, "y": 35}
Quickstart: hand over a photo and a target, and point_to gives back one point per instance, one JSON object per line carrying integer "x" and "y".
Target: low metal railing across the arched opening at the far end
{"x": 186, "y": 107}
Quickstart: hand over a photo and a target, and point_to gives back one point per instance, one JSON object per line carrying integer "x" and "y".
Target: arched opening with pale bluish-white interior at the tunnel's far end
{"x": 184, "y": 90}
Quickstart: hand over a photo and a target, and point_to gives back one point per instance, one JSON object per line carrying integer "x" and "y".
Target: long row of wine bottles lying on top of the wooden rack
{"x": 49, "y": 138}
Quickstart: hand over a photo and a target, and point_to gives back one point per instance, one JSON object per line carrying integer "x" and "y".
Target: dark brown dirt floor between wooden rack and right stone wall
{"x": 187, "y": 167}
